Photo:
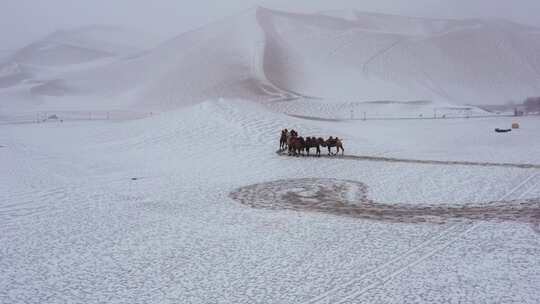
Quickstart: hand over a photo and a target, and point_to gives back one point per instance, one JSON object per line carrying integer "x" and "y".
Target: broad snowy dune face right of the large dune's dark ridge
{"x": 380, "y": 57}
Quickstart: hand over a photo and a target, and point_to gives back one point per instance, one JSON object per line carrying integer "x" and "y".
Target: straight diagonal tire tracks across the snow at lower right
{"x": 347, "y": 293}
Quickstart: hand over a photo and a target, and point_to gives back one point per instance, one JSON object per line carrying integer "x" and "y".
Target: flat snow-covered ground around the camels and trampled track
{"x": 140, "y": 211}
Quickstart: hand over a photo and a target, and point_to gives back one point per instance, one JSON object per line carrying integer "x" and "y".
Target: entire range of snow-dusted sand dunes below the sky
{"x": 267, "y": 55}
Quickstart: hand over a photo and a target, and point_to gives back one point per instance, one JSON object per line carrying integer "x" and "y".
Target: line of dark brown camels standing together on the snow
{"x": 296, "y": 145}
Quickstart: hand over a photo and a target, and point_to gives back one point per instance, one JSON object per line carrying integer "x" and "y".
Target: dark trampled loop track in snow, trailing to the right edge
{"x": 350, "y": 198}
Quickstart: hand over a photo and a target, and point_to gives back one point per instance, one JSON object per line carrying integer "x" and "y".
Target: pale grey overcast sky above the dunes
{"x": 23, "y": 21}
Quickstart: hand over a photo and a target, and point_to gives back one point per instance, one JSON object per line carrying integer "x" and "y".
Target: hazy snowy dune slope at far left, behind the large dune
{"x": 39, "y": 68}
